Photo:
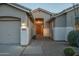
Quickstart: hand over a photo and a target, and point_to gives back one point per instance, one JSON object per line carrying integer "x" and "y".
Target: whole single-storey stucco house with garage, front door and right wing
{"x": 18, "y": 24}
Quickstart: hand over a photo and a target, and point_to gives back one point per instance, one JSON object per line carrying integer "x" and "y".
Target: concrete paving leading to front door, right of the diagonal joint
{"x": 45, "y": 48}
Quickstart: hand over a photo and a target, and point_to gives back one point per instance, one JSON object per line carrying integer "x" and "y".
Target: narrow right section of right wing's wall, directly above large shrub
{"x": 70, "y": 22}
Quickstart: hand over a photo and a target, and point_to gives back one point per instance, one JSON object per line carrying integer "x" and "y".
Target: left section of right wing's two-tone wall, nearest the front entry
{"x": 60, "y": 28}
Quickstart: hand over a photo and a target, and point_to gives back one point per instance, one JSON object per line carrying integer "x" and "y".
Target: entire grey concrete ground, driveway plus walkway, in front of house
{"x": 36, "y": 48}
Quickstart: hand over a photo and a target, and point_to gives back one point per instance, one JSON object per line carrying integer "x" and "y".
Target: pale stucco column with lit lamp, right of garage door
{"x": 24, "y": 35}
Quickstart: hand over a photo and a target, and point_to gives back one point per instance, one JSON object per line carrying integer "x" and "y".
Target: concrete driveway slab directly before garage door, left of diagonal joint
{"x": 10, "y": 50}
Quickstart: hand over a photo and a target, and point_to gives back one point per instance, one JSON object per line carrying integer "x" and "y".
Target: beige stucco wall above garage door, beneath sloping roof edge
{"x": 6, "y": 10}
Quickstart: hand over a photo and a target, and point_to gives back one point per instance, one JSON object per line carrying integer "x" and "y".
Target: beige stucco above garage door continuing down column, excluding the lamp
{"x": 7, "y": 10}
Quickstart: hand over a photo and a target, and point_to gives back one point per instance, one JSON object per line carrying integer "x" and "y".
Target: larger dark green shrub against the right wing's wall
{"x": 72, "y": 38}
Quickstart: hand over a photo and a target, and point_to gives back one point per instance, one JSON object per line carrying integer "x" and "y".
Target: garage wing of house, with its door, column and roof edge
{"x": 14, "y": 24}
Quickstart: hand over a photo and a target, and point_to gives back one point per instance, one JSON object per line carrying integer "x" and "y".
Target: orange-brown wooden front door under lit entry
{"x": 39, "y": 28}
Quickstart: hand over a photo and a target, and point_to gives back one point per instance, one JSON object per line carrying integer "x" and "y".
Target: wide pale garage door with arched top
{"x": 9, "y": 31}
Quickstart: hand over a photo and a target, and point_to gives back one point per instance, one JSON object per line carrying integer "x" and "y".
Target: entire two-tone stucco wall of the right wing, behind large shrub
{"x": 64, "y": 24}
